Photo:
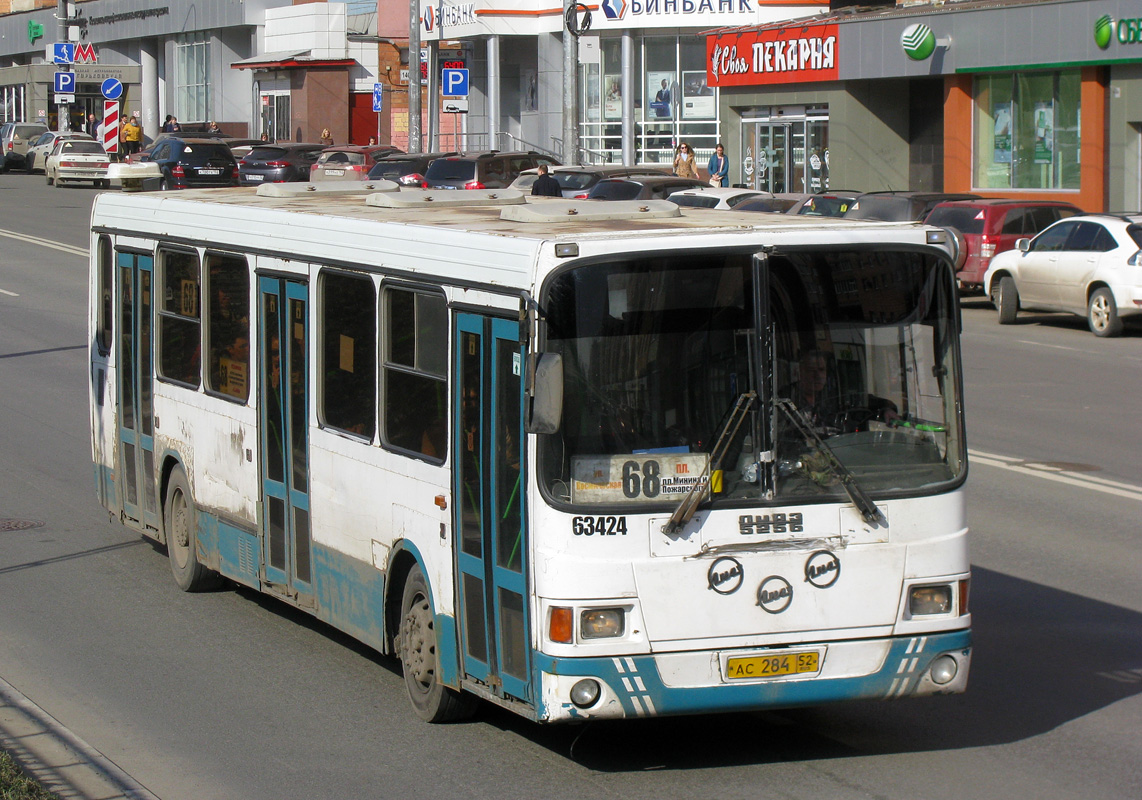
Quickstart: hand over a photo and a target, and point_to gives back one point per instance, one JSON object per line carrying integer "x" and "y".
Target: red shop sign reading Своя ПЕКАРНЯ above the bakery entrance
{"x": 791, "y": 55}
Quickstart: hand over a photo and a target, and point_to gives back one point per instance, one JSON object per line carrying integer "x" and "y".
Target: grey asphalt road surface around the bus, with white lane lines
{"x": 234, "y": 696}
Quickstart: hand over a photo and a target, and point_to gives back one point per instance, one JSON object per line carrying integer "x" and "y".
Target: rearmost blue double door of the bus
{"x": 136, "y": 382}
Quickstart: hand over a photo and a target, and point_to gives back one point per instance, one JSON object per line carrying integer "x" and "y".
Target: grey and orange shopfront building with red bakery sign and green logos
{"x": 1006, "y": 99}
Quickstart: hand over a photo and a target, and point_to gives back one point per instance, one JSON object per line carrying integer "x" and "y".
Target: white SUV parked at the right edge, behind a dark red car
{"x": 1087, "y": 265}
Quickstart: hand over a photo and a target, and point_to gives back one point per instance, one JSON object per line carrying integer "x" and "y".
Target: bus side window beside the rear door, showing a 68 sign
{"x": 180, "y": 329}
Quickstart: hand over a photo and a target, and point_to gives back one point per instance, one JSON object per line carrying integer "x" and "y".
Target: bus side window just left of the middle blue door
{"x": 229, "y": 325}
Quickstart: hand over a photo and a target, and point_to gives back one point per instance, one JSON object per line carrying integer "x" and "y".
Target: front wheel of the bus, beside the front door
{"x": 421, "y": 661}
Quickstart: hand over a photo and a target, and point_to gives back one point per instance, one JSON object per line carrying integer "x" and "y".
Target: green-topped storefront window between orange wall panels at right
{"x": 1028, "y": 131}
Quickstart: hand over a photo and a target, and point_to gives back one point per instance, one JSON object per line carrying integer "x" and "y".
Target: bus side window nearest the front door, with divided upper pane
{"x": 415, "y": 389}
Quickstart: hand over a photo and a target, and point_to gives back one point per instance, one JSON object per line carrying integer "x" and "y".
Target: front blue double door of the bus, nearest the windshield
{"x": 489, "y": 491}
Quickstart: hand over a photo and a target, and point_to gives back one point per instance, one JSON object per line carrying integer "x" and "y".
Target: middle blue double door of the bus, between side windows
{"x": 284, "y": 419}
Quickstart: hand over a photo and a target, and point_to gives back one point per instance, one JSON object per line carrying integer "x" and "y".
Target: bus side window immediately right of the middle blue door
{"x": 349, "y": 348}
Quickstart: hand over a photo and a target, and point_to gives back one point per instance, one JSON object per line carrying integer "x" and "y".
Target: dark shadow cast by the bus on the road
{"x": 1042, "y": 659}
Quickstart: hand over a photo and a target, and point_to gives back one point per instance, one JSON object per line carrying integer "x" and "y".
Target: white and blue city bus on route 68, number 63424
{"x": 582, "y": 460}
